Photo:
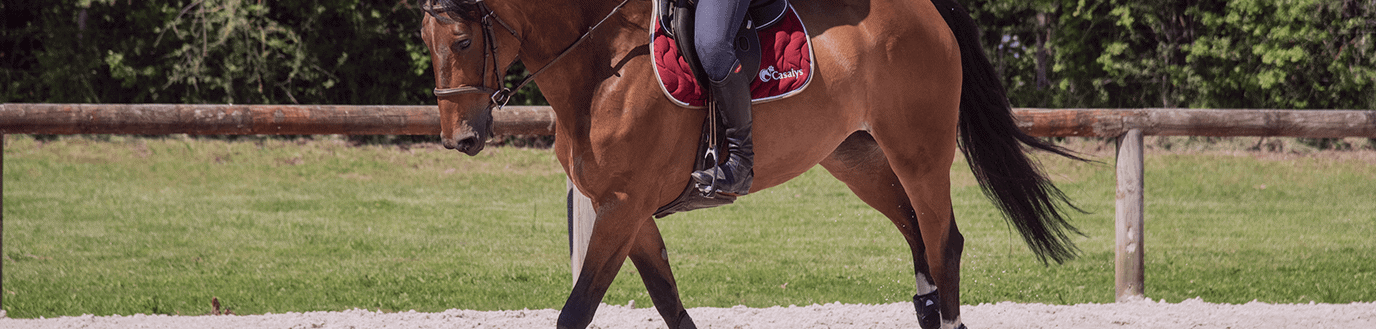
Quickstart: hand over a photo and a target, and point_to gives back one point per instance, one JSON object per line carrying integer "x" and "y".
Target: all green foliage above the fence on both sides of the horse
{"x": 1294, "y": 54}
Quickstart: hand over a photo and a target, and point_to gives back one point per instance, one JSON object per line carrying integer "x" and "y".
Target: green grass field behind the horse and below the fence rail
{"x": 160, "y": 226}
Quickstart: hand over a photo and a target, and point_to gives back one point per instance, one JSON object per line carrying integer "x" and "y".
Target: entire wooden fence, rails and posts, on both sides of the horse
{"x": 1129, "y": 126}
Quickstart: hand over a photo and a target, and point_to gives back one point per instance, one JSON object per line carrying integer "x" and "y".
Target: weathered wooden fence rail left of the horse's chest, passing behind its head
{"x": 254, "y": 120}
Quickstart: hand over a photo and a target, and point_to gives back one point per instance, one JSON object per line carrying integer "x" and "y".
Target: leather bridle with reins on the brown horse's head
{"x": 500, "y": 96}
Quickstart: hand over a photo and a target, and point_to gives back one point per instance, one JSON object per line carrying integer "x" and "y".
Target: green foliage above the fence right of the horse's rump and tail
{"x": 1245, "y": 54}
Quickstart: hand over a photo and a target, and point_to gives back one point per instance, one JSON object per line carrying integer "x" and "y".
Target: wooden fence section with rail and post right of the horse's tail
{"x": 1130, "y": 126}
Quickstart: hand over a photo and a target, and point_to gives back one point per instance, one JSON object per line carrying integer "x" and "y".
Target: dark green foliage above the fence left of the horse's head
{"x": 215, "y": 52}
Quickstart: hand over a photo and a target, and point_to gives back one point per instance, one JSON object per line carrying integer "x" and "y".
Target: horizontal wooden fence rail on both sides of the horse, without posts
{"x": 540, "y": 120}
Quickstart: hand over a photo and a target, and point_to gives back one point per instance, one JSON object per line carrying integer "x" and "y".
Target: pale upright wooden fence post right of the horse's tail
{"x": 1129, "y": 262}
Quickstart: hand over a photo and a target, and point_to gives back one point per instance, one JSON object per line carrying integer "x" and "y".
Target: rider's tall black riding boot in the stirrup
{"x": 733, "y": 101}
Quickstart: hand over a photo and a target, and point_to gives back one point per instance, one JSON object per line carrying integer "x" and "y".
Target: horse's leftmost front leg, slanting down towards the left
{"x": 614, "y": 237}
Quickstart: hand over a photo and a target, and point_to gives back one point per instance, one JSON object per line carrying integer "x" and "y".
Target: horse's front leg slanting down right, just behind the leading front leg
{"x": 652, "y": 259}
